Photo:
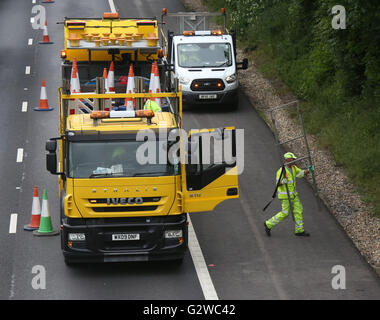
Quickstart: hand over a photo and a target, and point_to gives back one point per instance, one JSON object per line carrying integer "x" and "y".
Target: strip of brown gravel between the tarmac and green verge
{"x": 335, "y": 189}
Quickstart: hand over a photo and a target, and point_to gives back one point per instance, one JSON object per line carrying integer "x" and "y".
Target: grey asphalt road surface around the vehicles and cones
{"x": 242, "y": 262}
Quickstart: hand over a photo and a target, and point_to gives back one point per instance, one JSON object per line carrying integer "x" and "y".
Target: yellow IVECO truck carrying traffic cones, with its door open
{"x": 129, "y": 177}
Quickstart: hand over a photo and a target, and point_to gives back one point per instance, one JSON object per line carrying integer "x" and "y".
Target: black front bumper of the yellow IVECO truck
{"x": 99, "y": 246}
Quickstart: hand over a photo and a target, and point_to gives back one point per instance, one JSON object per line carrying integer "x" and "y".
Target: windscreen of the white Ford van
{"x": 200, "y": 55}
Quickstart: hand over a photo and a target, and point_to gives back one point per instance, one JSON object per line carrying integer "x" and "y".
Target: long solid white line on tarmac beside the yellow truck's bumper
{"x": 200, "y": 265}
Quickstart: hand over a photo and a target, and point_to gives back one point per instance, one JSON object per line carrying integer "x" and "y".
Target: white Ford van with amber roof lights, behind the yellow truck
{"x": 204, "y": 61}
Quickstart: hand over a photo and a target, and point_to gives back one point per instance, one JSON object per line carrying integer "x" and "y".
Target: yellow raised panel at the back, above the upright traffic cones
{"x": 80, "y": 36}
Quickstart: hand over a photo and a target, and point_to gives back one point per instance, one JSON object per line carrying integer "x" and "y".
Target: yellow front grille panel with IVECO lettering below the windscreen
{"x": 87, "y": 198}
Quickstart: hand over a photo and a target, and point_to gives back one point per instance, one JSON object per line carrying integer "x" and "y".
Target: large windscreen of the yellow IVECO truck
{"x": 110, "y": 159}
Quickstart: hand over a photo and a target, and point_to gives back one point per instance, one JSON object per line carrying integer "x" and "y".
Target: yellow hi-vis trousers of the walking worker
{"x": 297, "y": 210}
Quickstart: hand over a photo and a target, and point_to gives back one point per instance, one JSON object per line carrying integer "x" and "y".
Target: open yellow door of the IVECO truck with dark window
{"x": 211, "y": 173}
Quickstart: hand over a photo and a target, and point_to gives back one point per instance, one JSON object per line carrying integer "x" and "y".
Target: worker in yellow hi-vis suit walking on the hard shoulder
{"x": 288, "y": 178}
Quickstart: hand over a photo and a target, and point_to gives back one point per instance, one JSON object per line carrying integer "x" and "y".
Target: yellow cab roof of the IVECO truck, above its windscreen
{"x": 83, "y": 123}
